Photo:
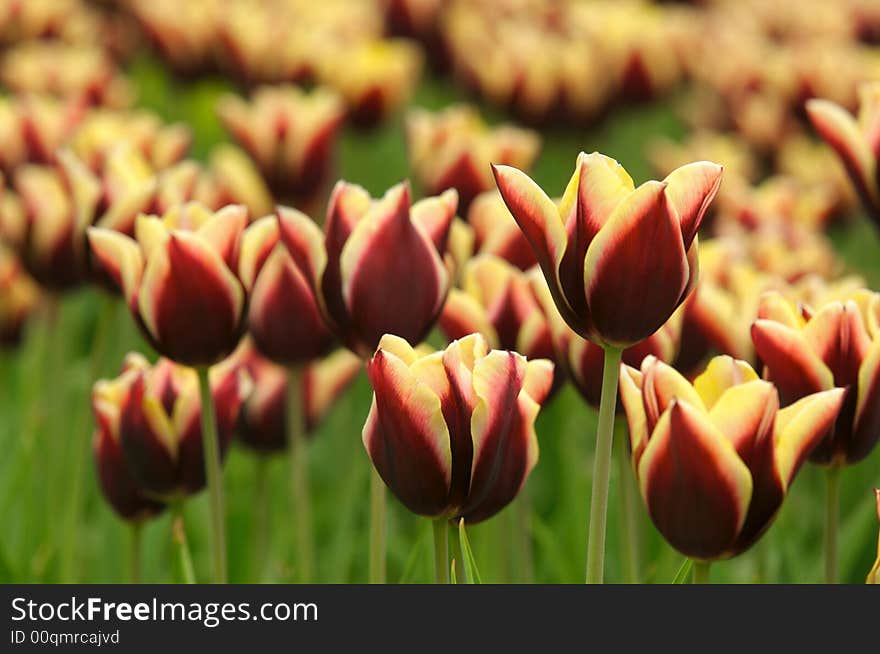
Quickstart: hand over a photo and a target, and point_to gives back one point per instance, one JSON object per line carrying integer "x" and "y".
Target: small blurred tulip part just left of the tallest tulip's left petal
{"x": 496, "y": 232}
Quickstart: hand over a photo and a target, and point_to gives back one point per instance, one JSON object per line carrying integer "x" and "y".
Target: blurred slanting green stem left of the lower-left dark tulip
{"x": 81, "y": 439}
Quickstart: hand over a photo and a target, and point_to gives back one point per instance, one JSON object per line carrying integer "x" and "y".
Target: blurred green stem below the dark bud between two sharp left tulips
{"x": 299, "y": 474}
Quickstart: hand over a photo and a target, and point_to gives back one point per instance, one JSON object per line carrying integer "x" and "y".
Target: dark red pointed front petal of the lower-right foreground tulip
{"x": 696, "y": 487}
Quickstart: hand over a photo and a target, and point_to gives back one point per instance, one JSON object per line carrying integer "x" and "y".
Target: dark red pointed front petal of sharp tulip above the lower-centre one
{"x": 386, "y": 259}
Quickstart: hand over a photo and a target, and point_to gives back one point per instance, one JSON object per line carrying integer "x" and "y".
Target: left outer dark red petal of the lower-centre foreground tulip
{"x": 406, "y": 436}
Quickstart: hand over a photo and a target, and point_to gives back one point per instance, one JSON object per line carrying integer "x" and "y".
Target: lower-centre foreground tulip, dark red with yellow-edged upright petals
{"x": 452, "y": 433}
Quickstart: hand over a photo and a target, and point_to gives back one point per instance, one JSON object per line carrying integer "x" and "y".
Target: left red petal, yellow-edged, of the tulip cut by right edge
{"x": 795, "y": 369}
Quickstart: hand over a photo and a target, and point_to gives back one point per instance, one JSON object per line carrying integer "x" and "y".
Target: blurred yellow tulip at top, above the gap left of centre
{"x": 375, "y": 77}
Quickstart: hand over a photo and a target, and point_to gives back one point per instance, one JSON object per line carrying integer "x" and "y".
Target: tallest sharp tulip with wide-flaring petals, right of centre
{"x": 618, "y": 259}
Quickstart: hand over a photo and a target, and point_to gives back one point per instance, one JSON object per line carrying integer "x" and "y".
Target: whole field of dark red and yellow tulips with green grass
{"x": 372, "y": 309}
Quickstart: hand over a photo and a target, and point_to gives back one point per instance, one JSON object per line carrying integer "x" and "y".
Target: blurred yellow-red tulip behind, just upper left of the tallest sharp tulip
{"x": 453, "y": 149}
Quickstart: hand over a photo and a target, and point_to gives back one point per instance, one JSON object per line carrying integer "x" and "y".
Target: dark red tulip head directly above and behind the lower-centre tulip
{"x": 380, "y": 268}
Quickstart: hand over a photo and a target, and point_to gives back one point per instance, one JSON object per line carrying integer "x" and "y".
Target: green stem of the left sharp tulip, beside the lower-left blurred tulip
{"x": 214, "y": 476}
